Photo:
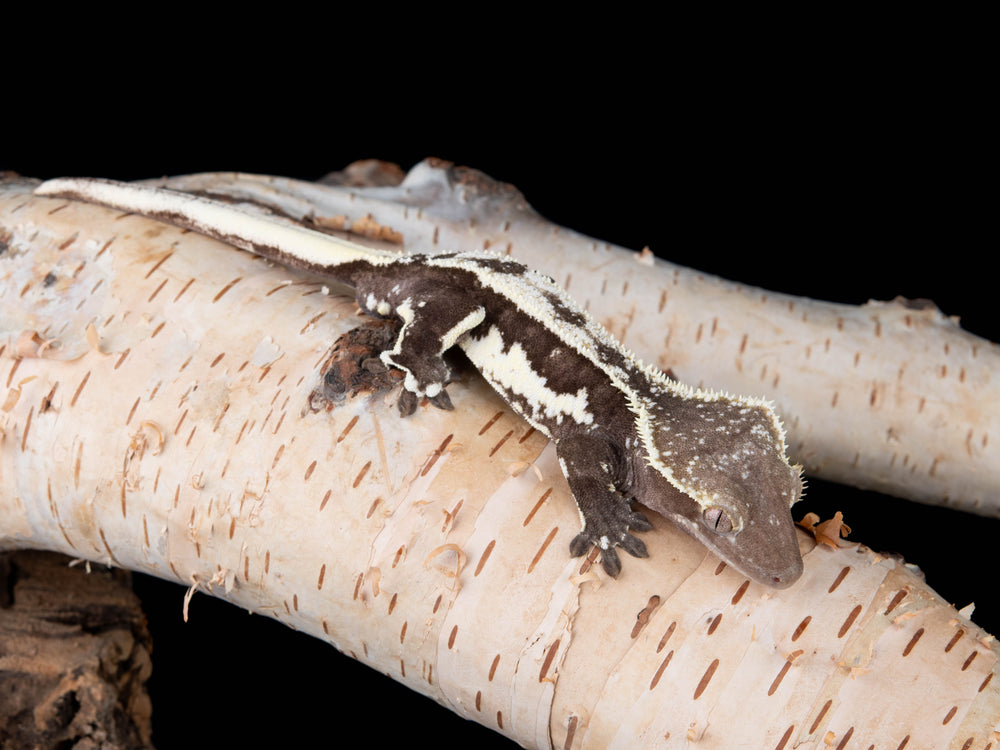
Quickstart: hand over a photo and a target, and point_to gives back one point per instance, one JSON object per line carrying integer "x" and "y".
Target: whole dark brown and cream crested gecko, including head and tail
{"x": 713, "y": 464}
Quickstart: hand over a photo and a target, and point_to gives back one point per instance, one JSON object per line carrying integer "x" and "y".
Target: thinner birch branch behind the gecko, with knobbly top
{"x": 891, "y": 396}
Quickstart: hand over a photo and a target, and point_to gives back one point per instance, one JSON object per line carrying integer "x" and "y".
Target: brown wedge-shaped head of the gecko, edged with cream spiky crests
{"x": 730, "y": 482}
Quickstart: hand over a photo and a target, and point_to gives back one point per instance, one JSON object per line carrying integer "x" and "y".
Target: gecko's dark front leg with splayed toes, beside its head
{"x": 591, "y": 468}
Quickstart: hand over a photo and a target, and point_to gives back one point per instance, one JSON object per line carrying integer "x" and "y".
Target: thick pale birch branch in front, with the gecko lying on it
{"x": 156, "y": 417}
